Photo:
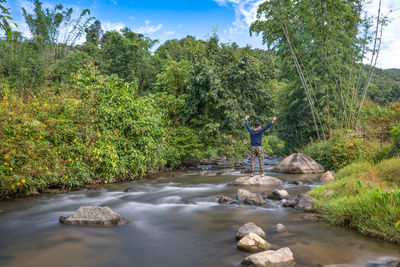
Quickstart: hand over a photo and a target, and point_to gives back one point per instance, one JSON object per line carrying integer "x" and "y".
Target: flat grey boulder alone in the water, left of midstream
{"x": 94, "y": 215}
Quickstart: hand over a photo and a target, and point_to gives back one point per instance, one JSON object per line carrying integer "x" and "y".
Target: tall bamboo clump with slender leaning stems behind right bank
{"x": 322, "y": 48}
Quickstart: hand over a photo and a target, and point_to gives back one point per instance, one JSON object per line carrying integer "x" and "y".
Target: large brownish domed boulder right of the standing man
{"x": 298, "y": 163}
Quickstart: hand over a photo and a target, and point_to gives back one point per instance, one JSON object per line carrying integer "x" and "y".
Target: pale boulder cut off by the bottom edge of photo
{"x": 270, "y": 258}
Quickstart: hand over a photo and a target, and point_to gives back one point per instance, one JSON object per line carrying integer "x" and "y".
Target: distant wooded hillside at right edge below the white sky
{"x": 385, "y": 86}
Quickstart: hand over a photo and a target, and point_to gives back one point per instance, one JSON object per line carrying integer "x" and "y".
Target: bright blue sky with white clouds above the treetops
{"x": 174, "y": 19}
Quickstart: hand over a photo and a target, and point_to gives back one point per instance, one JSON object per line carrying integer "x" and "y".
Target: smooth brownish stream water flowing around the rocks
{"x": 176, "y": 221}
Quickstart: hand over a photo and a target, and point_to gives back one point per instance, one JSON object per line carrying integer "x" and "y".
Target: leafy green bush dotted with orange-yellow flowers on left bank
{"x": 97, "y": 130}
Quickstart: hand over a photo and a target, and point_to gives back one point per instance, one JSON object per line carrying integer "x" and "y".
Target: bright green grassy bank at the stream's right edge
{"x": 365, "y": 197}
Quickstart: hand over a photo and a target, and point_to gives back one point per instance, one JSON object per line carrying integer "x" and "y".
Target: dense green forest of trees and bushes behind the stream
{"x": 120, "y": 105}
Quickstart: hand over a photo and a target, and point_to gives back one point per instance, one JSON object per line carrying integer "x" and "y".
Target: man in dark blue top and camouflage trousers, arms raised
{"x": 256, "y": 144}
